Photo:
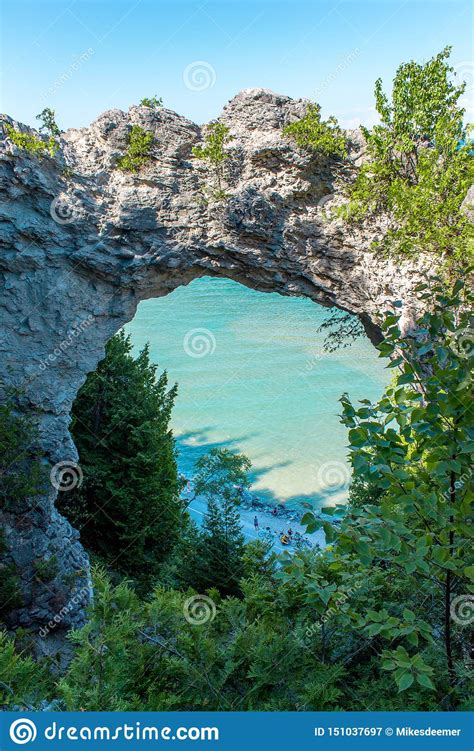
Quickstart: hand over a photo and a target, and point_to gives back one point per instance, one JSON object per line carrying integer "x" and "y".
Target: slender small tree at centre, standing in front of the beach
{"x": 221, "y": 477}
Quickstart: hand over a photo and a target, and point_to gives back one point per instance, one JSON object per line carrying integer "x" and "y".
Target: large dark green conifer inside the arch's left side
{"x": 128, "y": 508}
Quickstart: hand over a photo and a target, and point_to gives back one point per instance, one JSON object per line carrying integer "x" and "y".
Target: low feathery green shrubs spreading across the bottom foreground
{"x": 289, "y": 644}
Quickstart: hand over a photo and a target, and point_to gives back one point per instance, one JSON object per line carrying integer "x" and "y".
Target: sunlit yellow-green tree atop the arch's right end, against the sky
{"x": 420, "y": 168}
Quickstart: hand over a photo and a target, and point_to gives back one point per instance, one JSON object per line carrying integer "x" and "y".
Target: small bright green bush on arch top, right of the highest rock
{"x": 322, "y": 136}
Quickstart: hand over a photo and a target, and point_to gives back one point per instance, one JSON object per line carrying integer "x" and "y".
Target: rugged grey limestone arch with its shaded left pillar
{"x": 83, "y": 243}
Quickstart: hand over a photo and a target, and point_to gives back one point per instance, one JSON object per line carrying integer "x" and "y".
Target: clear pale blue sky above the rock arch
{"x": 81, "y": 57}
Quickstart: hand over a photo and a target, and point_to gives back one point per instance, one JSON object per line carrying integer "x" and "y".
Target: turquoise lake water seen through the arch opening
{"x": 253, "y": 377}
